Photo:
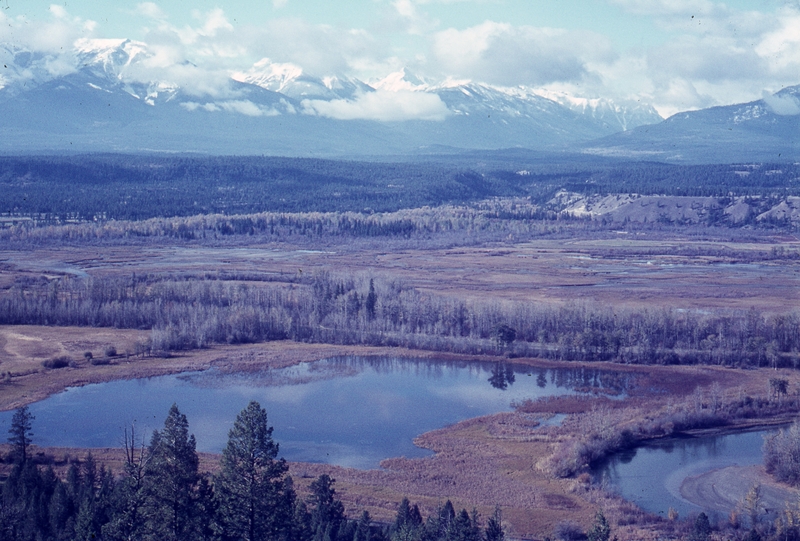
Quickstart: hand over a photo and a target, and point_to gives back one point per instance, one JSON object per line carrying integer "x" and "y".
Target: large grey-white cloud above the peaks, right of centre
{"x": 512, "y": 55}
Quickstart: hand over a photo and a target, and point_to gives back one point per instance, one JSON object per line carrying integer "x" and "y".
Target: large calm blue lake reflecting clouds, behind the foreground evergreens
{"x": 347, "y": 411}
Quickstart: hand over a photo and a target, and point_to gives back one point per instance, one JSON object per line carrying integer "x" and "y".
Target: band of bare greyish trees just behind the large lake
{"x": 194, "y": 313}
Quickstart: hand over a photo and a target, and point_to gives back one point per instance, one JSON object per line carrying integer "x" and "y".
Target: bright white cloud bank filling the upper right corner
{"x": 716, "y": 54}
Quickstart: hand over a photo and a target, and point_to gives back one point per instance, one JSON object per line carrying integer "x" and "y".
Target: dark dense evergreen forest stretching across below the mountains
{"x": 99, "y": 187}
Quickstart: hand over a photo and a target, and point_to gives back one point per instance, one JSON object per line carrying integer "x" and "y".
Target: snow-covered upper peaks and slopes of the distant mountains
{"x": 122, "y": 65}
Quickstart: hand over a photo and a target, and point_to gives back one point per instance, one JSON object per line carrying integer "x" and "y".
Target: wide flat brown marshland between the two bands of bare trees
{"x": 681, "y": 271}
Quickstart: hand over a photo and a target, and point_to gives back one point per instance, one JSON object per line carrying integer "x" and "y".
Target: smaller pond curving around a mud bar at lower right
{"x": 651, "y": 476}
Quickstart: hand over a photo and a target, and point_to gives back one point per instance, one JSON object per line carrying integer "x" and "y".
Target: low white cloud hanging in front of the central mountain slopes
{"x": 381, "y": 105}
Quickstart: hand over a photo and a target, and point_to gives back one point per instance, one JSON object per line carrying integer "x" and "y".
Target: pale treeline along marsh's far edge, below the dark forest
{"x": 489, "y": 219}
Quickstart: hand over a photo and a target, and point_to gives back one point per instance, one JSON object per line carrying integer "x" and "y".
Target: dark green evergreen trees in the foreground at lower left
{"x": 161, "y": 495}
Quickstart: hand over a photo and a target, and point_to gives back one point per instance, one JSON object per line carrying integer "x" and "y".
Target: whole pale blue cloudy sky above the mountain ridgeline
{"x": 674, "y": 54}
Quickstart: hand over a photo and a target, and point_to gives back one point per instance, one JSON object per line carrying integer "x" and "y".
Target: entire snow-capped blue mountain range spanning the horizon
{"x": 106, "y": 101}
